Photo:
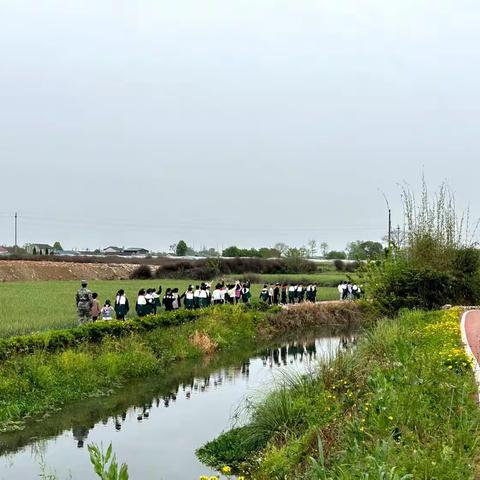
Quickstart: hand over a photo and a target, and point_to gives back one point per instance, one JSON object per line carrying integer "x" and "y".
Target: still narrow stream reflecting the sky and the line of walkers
{"x": 155, "y": 425}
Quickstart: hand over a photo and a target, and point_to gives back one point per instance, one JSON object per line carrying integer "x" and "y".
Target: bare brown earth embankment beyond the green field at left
{"x": 27, "y": 270}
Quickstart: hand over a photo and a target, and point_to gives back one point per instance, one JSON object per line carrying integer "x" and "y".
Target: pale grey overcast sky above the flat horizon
{"x": 248, "y": 122}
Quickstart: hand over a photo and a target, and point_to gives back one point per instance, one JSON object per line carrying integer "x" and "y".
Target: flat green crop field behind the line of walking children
{"x": 26, "y": 307}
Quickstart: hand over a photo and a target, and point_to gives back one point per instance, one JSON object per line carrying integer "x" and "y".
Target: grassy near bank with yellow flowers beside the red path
{"x": 400, "y": 406}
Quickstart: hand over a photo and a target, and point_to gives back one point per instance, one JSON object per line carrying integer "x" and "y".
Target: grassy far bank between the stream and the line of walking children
{"x": 43, "y": 372}
